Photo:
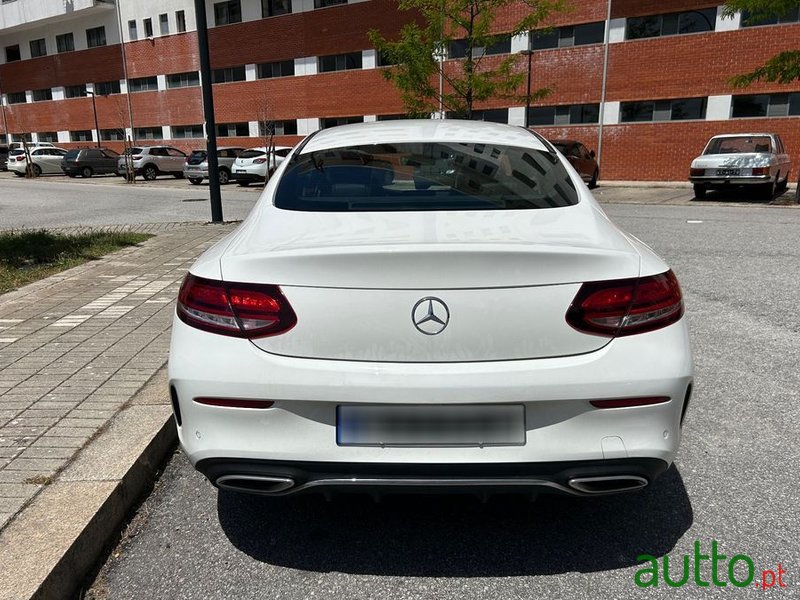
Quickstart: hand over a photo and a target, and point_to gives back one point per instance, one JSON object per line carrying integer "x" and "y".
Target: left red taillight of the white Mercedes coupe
{"x": 235, "y": 309}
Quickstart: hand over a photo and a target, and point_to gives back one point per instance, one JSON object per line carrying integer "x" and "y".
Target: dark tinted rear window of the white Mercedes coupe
{"x": 425, "y": 176}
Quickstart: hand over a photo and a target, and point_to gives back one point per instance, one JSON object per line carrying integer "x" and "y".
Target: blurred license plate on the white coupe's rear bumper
{"x": 439, "y": 425}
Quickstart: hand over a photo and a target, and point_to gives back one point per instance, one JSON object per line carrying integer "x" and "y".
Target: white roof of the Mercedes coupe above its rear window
{"x": 423, "y": 130}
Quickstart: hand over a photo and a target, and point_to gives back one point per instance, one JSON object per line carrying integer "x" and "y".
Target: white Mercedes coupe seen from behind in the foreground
{"x": 429, "y": 305}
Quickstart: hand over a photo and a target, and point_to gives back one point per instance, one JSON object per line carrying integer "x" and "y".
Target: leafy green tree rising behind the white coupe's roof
{"x": 416, "y": 54}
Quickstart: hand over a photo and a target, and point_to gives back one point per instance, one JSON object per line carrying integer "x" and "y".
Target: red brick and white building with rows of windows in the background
{"x": 643, "y": 82}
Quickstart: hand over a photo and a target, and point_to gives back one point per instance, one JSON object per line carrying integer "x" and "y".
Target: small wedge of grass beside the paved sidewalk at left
{"x": 27, "y": 256}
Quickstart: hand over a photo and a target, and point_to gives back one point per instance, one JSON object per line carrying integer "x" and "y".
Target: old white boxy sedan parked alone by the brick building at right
{"x": 755, "y": 160}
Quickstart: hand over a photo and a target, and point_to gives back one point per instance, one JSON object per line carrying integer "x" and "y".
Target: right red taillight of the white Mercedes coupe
{"x": 627, "y": 306}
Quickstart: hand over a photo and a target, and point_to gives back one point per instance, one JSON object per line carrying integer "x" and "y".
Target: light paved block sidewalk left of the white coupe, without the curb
{"x": 76, "y": 347}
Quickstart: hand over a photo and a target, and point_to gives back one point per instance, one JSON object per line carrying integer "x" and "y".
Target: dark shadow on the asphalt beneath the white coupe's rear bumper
{"x": 457, "y": 536}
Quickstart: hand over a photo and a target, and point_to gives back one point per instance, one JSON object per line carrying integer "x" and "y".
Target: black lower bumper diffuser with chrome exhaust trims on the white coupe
{"x": 578, "y": 478}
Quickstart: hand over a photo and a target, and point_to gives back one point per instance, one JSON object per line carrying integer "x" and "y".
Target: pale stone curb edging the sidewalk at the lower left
{"x": 55, "y": 542}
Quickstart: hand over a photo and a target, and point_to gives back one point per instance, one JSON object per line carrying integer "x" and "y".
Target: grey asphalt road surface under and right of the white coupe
{"x": 735, "y": 481}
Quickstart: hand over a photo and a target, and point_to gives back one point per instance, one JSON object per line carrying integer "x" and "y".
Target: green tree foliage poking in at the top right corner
{"x": 784, "y": 67}
